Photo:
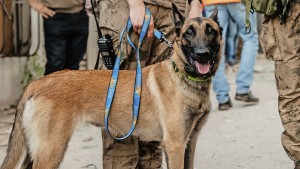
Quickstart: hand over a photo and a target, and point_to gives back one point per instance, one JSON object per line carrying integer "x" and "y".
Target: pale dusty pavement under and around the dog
{"x": 244, "y": 137}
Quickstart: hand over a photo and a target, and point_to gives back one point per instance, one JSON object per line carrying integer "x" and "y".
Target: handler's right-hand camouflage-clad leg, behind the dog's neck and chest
{"x": 150, "y": 154}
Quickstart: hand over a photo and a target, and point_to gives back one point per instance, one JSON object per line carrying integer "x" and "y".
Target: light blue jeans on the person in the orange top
{"x": 244, "y": 77}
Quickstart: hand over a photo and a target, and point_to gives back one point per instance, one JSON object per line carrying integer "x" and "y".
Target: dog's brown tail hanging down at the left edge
{"x": 16, "y": 145}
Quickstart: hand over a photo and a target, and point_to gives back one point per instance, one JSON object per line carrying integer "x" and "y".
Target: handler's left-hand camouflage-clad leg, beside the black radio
{"x": 117, "y": 154}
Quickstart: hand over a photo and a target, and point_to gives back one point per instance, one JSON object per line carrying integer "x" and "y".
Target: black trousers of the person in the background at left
{"x": 65, "y": 40}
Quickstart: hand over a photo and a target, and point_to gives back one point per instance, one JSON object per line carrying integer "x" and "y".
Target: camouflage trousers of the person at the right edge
{"x": 281, "y": 43}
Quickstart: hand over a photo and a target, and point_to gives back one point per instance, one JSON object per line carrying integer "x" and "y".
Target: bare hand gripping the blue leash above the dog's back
{"x": 137, "y": 11}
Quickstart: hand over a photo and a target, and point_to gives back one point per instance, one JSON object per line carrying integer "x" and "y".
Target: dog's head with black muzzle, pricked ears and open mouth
{"x": 199, "y": 43}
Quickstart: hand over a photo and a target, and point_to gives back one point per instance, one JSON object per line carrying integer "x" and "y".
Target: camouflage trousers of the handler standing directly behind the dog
{"x": 132, "y": 153}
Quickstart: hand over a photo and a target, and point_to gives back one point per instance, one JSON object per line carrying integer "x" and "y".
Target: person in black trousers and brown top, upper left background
{"x": 66, "y": 32}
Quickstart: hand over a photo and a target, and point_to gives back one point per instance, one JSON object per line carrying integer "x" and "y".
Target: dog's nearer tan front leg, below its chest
{"x": 174, "y": 151}
